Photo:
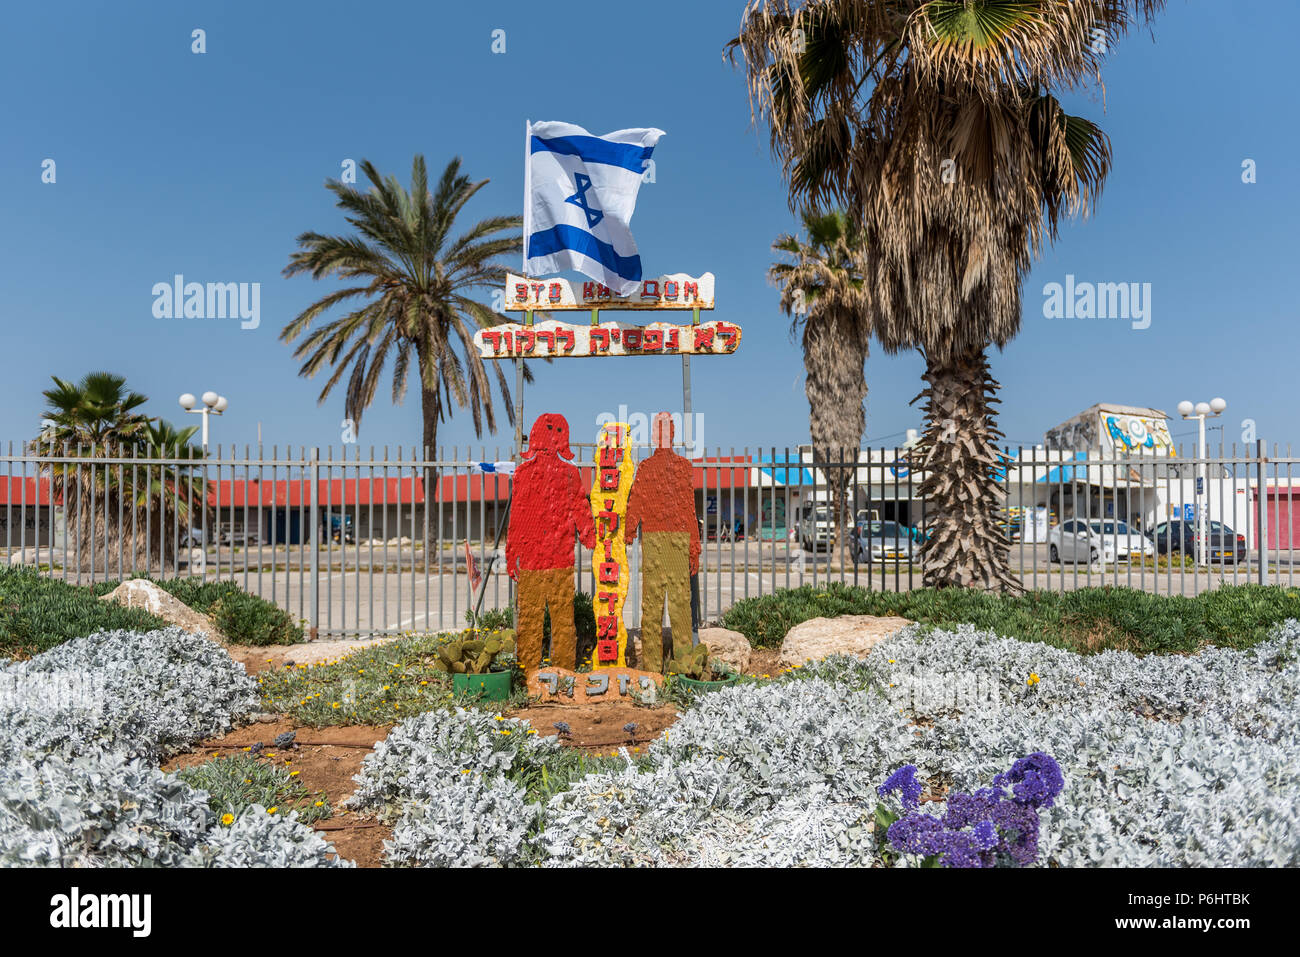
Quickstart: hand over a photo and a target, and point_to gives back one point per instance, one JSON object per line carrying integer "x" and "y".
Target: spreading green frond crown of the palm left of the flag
{"x": 415, "y": 280}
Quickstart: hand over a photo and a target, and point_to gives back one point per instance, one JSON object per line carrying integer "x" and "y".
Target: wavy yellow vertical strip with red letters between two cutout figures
{"x": 609, "y": 500}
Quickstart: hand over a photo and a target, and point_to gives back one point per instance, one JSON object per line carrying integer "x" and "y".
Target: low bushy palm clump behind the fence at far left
{"x": 125, "y": 516}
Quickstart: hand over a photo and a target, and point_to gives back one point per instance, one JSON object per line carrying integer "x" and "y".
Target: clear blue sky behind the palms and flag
{"x": 211, "y": 166}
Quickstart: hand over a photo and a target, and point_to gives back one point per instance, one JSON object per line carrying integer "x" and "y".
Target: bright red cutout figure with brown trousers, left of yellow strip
{"x": 549, "y": 510}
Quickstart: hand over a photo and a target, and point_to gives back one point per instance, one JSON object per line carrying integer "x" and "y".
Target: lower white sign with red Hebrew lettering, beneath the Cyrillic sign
{"x": 556, "y": 340}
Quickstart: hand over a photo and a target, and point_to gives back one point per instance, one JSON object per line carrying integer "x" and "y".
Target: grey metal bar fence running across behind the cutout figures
{"x": 358, "y": 545}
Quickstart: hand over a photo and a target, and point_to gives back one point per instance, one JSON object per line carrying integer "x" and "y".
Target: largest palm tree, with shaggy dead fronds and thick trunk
{"x": 935, "y": 124}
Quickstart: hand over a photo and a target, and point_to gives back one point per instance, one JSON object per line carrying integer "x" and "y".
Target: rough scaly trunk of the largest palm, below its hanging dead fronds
{"x": 960, "y": 490}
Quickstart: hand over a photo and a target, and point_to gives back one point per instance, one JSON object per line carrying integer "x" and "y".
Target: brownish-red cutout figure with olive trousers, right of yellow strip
{"x": 662, "y": 505}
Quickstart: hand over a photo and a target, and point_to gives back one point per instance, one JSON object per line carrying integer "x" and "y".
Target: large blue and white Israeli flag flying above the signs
{"x": 580, "y": 192}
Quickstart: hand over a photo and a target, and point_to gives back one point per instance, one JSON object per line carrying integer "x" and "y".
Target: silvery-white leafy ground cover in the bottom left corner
{"x": 83, "y": 730}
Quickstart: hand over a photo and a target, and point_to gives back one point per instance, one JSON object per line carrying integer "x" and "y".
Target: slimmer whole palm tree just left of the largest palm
{"x": 824, "y": 291}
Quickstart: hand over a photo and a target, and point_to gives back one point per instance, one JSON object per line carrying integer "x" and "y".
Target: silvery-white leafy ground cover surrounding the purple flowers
{"x": 1168, "y": 761}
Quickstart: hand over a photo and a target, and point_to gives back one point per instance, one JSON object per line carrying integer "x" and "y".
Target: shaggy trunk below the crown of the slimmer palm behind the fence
{"x": 835, "y": 352}
